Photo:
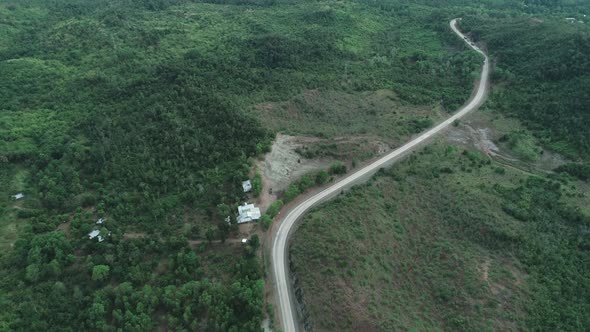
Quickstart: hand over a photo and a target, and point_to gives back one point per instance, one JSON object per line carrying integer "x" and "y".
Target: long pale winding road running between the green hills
{"x": 279, "y": 254}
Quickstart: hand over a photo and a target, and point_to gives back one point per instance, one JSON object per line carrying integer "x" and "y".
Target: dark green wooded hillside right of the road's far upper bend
{"x": 542, "y": 75}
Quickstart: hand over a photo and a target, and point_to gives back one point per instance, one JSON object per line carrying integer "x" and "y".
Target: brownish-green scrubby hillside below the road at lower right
{"x": 448, "y": 240}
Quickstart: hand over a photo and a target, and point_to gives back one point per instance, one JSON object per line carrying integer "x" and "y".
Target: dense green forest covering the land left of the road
{"x": 144, "y": 113}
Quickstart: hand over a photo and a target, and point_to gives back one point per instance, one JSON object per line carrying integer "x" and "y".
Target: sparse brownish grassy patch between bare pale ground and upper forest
{"x": 332, "y": 114}
